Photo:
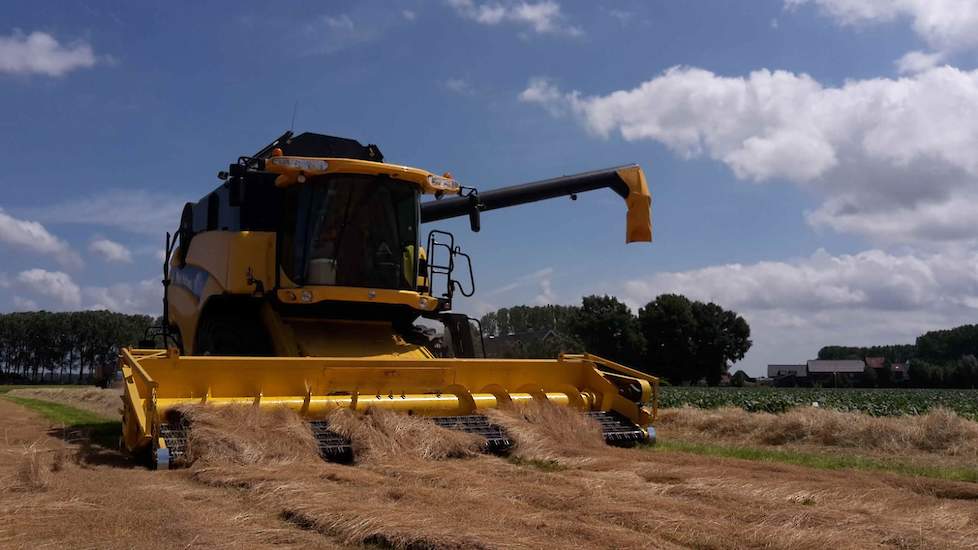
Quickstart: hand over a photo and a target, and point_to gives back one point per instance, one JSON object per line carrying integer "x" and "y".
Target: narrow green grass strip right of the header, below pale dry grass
{"x": 816, "y": 460}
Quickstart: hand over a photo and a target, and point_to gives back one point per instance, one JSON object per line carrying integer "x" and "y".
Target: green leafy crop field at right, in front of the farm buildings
{"x": 876, "y": 402}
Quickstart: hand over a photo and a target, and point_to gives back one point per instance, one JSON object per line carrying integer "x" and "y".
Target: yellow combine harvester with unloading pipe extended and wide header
{"x": 298, "y": 283}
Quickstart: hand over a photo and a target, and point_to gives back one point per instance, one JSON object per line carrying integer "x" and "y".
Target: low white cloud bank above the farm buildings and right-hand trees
{"x": 795, "y": 307}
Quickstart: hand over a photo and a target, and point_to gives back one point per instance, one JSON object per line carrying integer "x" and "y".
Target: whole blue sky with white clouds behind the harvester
{"x": 811, "y": 161}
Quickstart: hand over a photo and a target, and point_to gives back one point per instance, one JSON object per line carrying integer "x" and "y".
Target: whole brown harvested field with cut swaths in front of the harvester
{"x": 257, "y": 481}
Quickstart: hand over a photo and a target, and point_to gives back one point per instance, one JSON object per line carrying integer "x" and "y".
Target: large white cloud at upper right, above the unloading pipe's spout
{"x": 888, "y": 155}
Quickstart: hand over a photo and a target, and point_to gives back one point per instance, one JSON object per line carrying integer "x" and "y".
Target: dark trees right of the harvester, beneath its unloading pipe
{"x": 672, "y": 336}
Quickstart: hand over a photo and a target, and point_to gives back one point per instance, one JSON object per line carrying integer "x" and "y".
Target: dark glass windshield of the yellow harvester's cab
{"x": 352, "y": 230}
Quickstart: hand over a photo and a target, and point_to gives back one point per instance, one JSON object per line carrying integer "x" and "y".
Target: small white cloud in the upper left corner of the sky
{"x": 41, "y": 53}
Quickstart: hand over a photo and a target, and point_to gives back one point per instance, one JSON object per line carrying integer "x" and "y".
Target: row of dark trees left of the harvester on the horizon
{"x": 64, "y": 347}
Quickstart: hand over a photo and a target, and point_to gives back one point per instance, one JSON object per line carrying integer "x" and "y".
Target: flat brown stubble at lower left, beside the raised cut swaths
{"x": 55, "y": 493}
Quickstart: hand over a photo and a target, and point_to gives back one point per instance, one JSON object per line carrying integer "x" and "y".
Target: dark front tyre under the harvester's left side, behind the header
{"x": 236, "y": 332}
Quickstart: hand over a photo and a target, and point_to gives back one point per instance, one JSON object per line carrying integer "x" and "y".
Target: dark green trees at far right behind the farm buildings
{"x": 937, "y": 359}
